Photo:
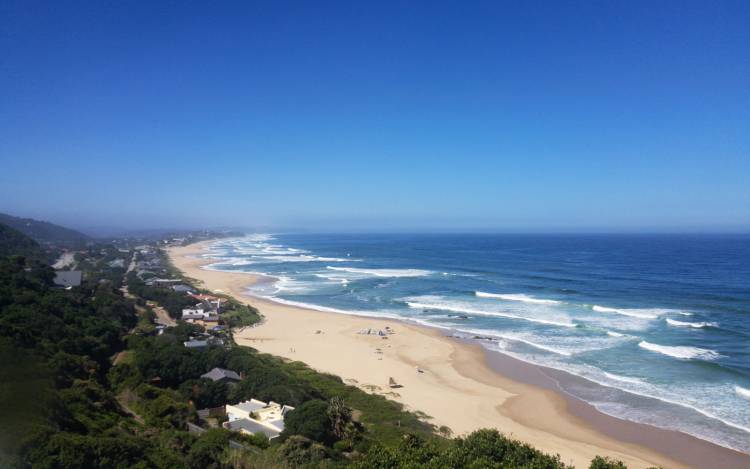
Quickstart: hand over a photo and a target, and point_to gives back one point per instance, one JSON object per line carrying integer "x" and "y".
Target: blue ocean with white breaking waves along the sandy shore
{"x": 661, "y": 322}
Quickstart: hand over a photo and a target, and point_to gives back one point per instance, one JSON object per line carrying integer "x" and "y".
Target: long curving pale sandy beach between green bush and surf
{"x": 456, "y": 383}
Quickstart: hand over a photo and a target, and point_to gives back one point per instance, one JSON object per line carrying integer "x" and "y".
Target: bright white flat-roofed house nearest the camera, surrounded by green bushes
{"x": 255, "y": 416}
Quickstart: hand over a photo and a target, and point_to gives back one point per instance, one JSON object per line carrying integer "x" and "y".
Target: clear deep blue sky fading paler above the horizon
{"x": 507, "y": 116}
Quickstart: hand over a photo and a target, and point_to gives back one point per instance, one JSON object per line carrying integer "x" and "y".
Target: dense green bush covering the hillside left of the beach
{"x": 65, "y": 403}
